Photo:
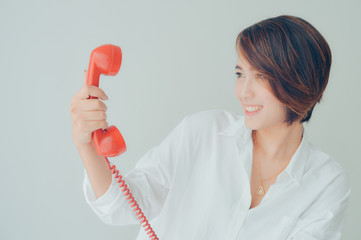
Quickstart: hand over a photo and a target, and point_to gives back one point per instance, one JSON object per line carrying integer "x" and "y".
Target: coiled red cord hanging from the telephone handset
{"x": 127, "y": 192}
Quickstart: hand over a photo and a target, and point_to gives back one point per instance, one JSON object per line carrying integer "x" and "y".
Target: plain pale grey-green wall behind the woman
{"x": 178, "y": 59}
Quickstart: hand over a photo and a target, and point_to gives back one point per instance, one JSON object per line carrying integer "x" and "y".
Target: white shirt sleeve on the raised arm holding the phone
{"x": 149, "y": 183}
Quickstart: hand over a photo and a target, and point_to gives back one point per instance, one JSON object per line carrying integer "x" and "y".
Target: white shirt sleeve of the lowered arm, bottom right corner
{"x": 325, "y": 218}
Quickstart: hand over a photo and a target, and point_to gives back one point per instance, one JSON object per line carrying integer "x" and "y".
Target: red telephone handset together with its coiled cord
{"x": 109, "y": 142}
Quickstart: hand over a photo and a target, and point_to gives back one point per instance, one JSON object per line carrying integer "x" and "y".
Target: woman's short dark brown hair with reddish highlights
{"x": 295, "y": 59}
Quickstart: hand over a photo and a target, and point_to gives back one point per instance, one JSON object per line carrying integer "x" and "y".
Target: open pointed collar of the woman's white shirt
{"x": 295, "y": 169}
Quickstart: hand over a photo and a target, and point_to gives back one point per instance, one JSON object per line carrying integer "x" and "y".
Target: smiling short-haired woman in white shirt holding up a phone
{"x": 222, "y": 175}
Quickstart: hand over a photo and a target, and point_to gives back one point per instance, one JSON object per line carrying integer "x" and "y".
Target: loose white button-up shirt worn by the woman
{"x": 196, "y": 185}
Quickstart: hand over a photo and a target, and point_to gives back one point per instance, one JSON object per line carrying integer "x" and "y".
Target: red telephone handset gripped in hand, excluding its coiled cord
{"x": 106, "y": 60}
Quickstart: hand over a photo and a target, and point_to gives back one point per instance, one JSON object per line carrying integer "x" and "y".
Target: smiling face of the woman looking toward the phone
{"x": 260, "y": 107}
